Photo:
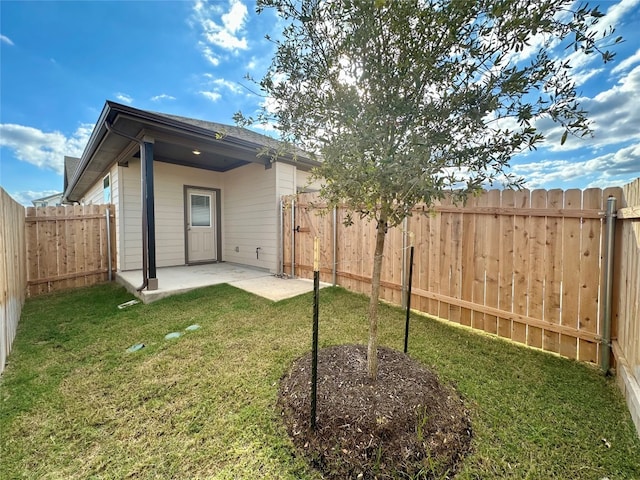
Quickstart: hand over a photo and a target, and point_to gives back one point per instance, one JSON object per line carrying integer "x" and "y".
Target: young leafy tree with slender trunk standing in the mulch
{"x": 407, "y": 100}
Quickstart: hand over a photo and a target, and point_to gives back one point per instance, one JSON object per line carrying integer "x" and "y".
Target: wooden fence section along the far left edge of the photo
{"x": 13, "y": 271}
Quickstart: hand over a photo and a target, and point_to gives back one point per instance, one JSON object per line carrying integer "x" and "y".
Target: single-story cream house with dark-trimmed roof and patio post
{"x": 186, "y": 191}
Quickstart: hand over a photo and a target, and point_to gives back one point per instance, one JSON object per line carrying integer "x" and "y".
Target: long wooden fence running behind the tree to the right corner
{"x": 525, "y": 265}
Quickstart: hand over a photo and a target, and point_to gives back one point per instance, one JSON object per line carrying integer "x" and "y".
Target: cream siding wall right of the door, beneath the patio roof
{"x": 250, "y": 202}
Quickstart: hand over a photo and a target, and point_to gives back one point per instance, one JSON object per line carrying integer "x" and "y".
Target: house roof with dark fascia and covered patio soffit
{"x": 222, "y": 147}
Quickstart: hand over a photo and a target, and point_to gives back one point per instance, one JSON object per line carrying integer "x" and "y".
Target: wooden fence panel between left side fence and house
{"x": 68, "y": 247}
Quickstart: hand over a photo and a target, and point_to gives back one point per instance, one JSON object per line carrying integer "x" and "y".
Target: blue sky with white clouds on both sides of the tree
{"x": 60, "y": 61}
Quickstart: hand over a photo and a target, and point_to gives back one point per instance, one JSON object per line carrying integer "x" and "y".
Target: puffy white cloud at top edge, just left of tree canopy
{"x": 220, "y": 28}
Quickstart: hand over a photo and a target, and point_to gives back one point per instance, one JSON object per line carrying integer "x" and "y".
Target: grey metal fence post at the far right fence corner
{"x": 608, "y": 283}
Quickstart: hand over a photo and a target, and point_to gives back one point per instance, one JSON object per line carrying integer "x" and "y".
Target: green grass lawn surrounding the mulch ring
{"x": 75, "y": 404}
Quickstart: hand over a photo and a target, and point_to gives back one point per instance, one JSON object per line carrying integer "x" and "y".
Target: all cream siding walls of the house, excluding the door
{"x": 250, "y": 206}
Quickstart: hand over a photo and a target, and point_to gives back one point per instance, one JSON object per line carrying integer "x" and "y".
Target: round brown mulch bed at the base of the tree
{"x": 405, "y": 425}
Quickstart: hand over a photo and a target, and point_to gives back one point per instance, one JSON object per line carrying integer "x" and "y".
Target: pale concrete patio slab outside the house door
{"x": 174, "y": 280}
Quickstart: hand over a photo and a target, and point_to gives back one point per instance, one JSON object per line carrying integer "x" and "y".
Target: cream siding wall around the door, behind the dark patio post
{"x": 169, "y": 182}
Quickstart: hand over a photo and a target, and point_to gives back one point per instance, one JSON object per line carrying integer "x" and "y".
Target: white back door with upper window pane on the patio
{"x": 201, "y": 226}
